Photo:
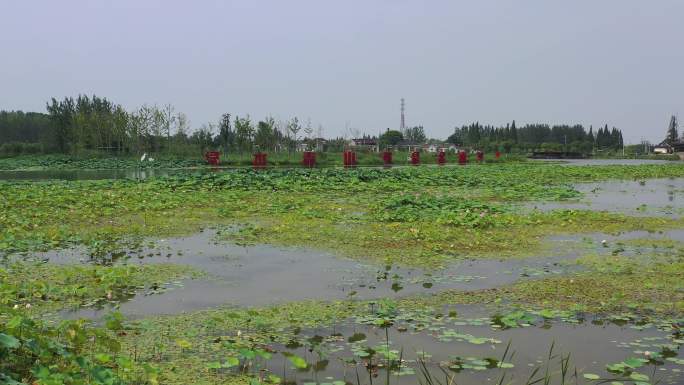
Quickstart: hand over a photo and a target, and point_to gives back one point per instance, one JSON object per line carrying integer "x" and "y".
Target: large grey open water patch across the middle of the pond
{"x": 264, "y": 275}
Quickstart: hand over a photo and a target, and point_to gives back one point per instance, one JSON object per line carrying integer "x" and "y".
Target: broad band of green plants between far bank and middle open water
{"x": 50, "y": 214}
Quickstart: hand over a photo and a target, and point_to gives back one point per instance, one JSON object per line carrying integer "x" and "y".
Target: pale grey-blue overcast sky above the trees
{"x": 340, "y": 63}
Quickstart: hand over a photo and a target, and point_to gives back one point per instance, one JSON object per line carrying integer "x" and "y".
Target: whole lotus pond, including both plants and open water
{"x": 511, "y": 273}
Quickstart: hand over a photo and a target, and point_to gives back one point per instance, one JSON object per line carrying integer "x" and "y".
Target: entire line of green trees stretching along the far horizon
{"x": 95, "y": 124}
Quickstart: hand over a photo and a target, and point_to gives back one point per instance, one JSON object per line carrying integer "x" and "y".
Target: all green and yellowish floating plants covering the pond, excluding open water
{"x": 421, "y": 216}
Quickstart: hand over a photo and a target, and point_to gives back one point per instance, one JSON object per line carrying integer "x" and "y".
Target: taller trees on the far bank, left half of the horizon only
{"x": 97, "y": 125}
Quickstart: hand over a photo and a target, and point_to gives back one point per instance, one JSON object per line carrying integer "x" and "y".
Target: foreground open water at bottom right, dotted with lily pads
{"x": 467, "y": 346}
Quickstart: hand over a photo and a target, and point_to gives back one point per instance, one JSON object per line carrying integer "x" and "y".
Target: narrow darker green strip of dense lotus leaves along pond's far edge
{"x": 508, "y": 181}
